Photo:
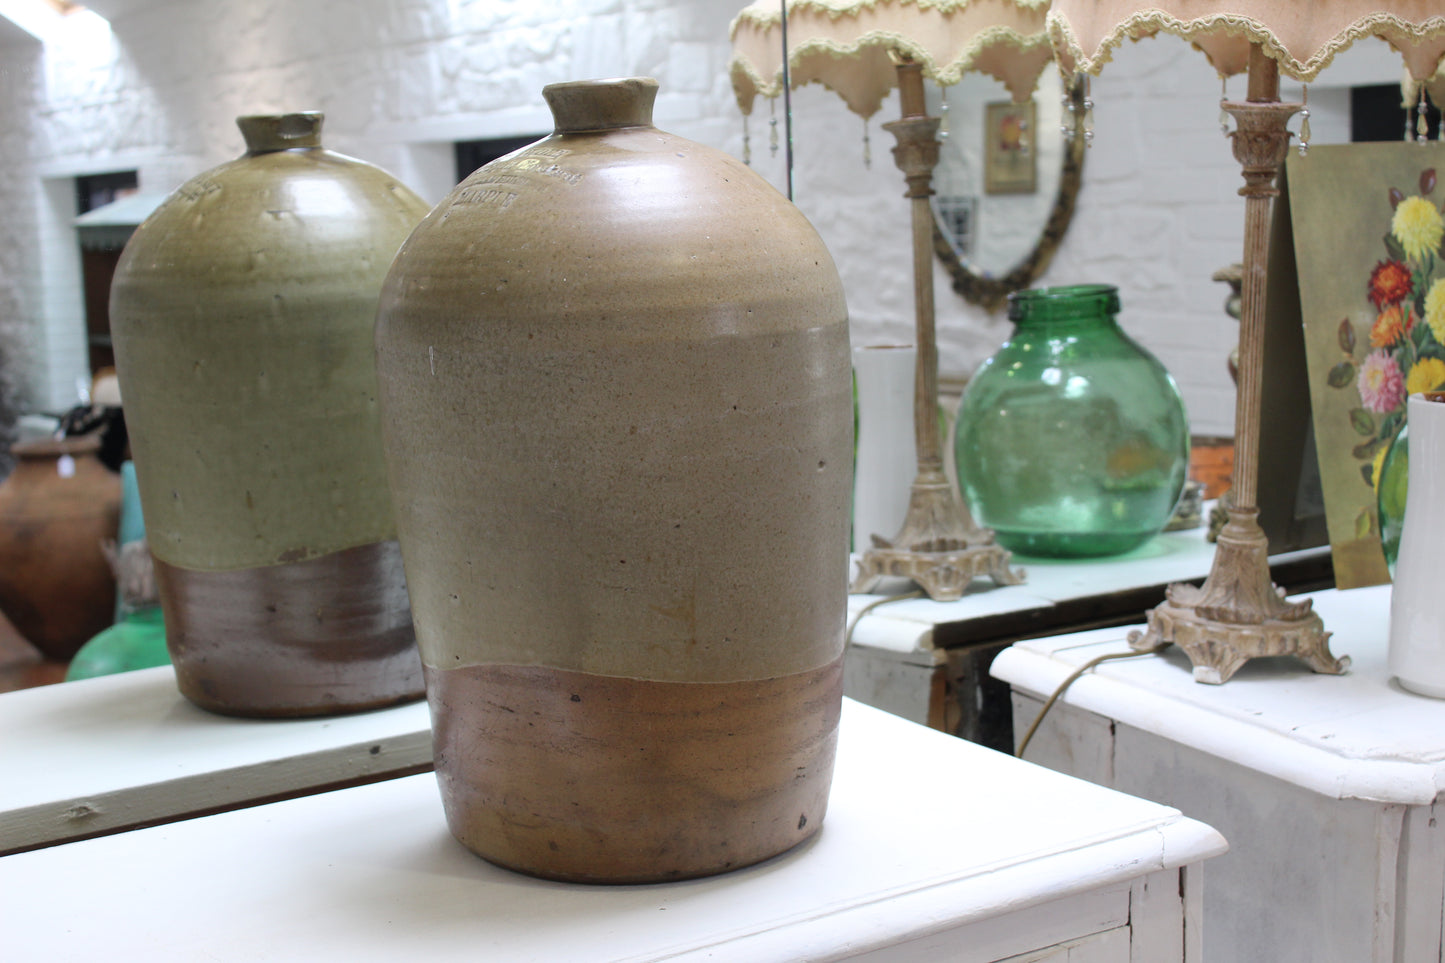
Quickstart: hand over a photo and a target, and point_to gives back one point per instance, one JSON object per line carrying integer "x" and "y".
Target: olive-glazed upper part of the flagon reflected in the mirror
{"x": 243, "y": 313}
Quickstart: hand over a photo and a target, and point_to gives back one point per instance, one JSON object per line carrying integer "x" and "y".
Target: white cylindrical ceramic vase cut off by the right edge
{"x": 1417, "y": 618}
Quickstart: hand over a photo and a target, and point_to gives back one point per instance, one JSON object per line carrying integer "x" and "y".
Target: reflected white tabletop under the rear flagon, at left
{"x": 108, "y": 754}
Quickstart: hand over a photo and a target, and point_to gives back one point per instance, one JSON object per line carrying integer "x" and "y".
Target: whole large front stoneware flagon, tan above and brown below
{"x": 618, "y": 417}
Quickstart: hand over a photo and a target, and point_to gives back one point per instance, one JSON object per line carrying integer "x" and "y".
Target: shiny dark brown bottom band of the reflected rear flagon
{"x": 314, "y": 638}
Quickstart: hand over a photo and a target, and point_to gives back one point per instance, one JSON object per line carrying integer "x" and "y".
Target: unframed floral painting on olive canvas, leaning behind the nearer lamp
{"x": 1369, "y": 236}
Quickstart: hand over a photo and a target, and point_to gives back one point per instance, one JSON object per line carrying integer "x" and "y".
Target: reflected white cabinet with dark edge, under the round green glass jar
{"x": 928, "y": 662}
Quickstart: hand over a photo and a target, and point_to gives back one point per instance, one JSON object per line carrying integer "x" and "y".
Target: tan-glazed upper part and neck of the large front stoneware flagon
{"x": 615, "y": 368}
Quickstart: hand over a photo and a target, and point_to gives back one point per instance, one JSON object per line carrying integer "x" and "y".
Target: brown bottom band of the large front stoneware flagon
{"x": 593, "y": 779}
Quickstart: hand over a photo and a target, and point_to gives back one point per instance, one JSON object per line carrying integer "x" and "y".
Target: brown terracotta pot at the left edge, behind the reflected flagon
{"x": 56, "y": 510}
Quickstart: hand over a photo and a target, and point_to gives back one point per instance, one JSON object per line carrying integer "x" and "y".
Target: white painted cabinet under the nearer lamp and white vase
{"x": 1327, "y": 787}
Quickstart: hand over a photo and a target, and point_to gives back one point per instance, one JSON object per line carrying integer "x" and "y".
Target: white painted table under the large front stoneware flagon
{"x": 933, "y": 849}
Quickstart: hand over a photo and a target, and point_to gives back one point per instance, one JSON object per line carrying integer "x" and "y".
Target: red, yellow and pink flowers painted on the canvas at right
{"x": 1404, "y": 351}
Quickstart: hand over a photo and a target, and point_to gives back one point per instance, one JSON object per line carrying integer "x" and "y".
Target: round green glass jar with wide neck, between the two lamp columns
{"x": 1071, "y": 440}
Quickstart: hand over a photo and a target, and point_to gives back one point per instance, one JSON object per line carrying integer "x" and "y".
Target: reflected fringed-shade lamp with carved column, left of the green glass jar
{"x": 862, "y": 50}
